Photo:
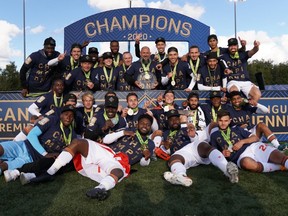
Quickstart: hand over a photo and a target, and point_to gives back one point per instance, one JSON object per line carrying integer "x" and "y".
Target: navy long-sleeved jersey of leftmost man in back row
{"x": 40, "y": 74}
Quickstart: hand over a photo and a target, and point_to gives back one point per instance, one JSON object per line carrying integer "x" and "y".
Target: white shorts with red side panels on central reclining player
{"x": 98, "y": 163}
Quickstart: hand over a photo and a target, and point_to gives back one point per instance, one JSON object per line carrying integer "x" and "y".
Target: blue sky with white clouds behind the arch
{"x": 265, "y": 21}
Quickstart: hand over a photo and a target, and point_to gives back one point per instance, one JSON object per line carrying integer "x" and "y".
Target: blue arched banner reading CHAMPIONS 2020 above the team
{"x": 125, "y": 24}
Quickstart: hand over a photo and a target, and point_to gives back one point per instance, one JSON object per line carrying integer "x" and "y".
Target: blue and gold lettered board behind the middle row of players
{"x": 14, "y": 109}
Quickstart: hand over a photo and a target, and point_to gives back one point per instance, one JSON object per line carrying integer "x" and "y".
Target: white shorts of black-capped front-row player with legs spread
{"x": 191, "y": 156}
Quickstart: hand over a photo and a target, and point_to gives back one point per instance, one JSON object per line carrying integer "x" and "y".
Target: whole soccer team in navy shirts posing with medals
{"x": 103, "y": 141}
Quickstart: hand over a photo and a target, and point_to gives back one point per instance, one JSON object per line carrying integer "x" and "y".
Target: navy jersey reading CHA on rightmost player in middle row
{"x": 243, "y": 116}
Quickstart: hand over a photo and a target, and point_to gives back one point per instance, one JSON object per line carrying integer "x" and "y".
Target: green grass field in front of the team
{"x": 145, "y": 192}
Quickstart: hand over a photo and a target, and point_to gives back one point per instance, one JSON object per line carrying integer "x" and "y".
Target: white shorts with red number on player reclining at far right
{"x": 258, "y": 151}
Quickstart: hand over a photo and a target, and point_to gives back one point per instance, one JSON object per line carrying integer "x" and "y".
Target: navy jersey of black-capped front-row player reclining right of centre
{"x": 179, "y": 140}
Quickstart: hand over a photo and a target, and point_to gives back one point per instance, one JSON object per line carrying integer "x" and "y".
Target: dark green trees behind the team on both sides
{"x": 272, "y": 74}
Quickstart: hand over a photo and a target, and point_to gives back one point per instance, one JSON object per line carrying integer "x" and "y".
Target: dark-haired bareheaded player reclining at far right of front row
{"x": 243, "y": 148}
